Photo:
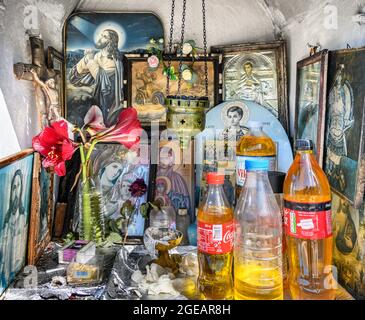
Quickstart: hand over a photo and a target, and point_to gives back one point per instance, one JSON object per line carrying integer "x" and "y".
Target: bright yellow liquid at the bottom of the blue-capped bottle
{"x": 255, "y": 282}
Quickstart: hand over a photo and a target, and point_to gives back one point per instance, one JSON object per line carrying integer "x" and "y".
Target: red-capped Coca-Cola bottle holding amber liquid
{"x": 215, "y": 242}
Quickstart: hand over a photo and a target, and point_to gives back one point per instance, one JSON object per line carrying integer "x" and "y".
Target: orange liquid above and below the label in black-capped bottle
{"x": 310, "y": 261}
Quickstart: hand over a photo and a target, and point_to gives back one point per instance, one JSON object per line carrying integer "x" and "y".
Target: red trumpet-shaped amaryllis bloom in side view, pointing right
{"x": 127, "y": 131}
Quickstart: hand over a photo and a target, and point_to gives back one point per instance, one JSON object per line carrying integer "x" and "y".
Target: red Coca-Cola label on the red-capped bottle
{"x": 215, "y": 238}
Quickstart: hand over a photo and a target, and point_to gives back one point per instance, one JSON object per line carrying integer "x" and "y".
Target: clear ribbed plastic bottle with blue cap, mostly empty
{"x": 258, "y": 238}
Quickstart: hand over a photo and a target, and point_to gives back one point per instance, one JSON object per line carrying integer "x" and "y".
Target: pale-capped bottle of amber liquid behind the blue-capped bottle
{"x": 254, "y": 145}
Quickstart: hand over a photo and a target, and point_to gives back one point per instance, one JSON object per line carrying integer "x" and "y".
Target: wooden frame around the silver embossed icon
{"x": 279, "y": 49}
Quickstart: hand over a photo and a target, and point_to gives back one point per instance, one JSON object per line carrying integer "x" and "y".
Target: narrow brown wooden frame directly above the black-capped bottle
{"x": 322, "y": 58}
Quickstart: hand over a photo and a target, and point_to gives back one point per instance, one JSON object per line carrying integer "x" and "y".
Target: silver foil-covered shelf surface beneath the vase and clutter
{"x": 118, "y": 264}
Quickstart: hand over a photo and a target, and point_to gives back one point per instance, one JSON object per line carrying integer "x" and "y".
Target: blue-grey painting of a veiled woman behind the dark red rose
{"x": 115, "y": 169}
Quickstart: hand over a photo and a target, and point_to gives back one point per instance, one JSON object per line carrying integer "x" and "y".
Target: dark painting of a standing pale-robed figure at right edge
{"x": 344, "y": 140}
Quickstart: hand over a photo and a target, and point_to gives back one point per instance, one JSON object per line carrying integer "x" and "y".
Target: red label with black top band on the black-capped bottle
{"x": 308, "y": 220}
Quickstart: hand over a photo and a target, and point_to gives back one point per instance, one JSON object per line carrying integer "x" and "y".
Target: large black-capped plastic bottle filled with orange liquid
{"x": 308, "y": 226}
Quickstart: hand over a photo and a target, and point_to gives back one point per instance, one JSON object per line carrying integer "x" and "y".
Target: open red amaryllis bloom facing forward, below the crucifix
{"x": 55, "y": 145}
